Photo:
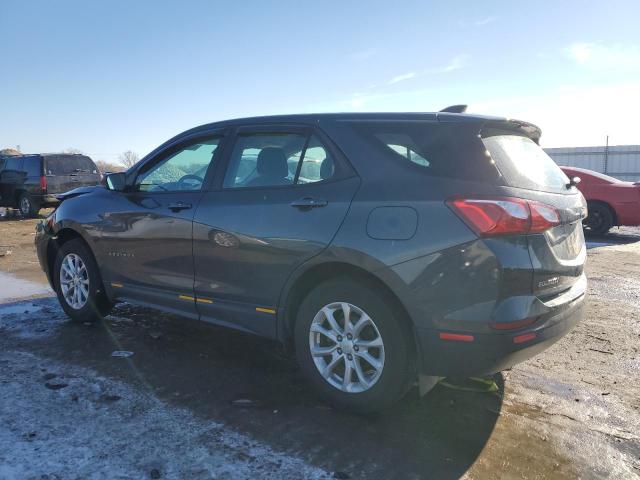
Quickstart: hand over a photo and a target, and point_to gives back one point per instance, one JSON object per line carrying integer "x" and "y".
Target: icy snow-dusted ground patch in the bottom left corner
{"x": 92, "y": 427}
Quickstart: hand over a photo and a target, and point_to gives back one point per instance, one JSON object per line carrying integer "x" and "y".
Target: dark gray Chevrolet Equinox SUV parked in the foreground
{"x": 381, "y": 247}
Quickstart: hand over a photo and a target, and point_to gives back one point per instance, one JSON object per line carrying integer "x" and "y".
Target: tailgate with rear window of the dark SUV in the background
{"x": 65, "y": 172}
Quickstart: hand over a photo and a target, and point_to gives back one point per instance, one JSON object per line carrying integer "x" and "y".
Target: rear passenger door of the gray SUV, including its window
{"x": 283, "y": 197}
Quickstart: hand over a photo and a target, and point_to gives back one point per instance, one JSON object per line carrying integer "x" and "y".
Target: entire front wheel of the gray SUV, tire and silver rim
{"x": 92, "y": 303}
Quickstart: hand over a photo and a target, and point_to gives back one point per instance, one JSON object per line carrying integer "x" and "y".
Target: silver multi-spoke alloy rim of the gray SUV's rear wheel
{"x": 346, "y": 347}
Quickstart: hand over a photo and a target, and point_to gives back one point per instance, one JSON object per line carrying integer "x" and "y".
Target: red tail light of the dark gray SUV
{"x": 489, "y": 217}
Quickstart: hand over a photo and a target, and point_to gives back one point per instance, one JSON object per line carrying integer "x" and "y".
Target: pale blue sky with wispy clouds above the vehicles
{"x": 106, "y": 77}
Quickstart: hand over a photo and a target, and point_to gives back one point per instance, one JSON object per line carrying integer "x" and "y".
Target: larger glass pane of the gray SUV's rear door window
{"x": 261, "y": 160}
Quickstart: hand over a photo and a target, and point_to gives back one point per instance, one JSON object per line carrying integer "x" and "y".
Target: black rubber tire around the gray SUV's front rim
{"x": 97, "y": 304}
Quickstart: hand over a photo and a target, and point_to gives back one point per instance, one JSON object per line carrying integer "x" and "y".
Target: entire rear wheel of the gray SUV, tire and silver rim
{"x": 386, "y": 385}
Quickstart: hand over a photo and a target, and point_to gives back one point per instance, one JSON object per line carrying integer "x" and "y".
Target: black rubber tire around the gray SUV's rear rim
{"x": 397, "y": 373}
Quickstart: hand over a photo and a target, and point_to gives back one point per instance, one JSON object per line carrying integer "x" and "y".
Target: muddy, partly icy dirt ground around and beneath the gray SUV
{"x": 69, "y": 409}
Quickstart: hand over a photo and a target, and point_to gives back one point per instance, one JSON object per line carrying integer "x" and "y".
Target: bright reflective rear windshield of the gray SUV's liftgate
{"x": 524, "y": 164}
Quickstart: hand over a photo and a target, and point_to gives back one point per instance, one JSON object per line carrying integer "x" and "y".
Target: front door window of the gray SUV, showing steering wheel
{"x": 183, "y": 170}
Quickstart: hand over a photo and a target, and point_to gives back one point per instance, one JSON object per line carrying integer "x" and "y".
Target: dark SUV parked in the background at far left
{"x": 31, "y": 182}
